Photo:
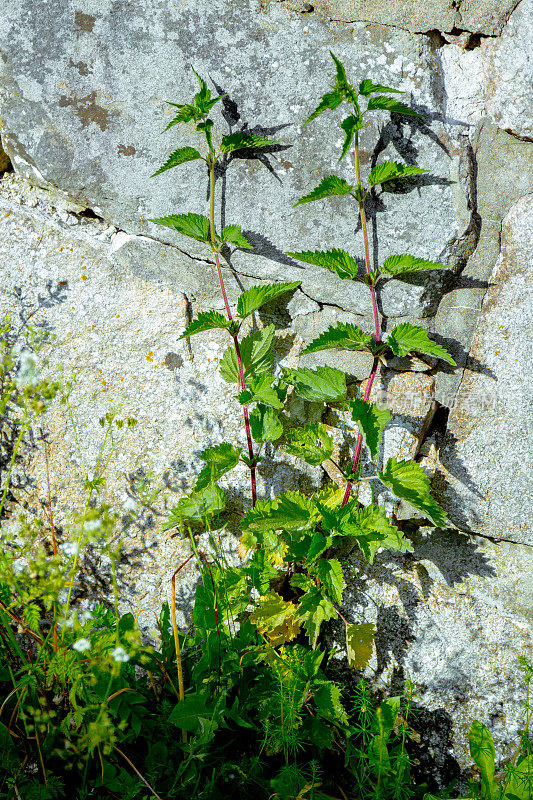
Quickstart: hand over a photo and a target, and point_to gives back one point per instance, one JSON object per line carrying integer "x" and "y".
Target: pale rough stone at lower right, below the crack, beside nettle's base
{"x": 453, "y": 616}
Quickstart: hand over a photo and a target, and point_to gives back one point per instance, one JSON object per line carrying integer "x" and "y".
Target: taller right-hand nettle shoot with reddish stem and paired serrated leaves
{"x": 405, "y": 339}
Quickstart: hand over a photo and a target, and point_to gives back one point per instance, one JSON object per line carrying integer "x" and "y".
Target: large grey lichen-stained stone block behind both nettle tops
{"x": 82, "y": 104}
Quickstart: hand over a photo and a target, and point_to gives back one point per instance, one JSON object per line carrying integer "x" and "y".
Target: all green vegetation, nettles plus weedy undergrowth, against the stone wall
{"x": 242, "y": 701}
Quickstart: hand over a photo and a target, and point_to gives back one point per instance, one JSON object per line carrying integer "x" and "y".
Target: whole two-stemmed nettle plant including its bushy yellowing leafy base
{"x": 288, "y": 542}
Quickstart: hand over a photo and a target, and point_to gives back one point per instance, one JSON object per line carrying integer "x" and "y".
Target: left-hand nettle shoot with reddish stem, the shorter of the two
{"x": 249, "y": 363}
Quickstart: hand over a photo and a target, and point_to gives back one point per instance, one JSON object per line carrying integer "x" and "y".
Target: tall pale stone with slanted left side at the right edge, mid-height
{"x": 485, "y": 482}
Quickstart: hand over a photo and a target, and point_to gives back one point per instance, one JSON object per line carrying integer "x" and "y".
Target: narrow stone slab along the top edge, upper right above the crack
{"x": 486, "y": 17}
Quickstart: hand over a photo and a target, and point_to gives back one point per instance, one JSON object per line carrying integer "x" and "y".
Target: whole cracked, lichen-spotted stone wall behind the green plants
{"x": 82, "y": 98}
